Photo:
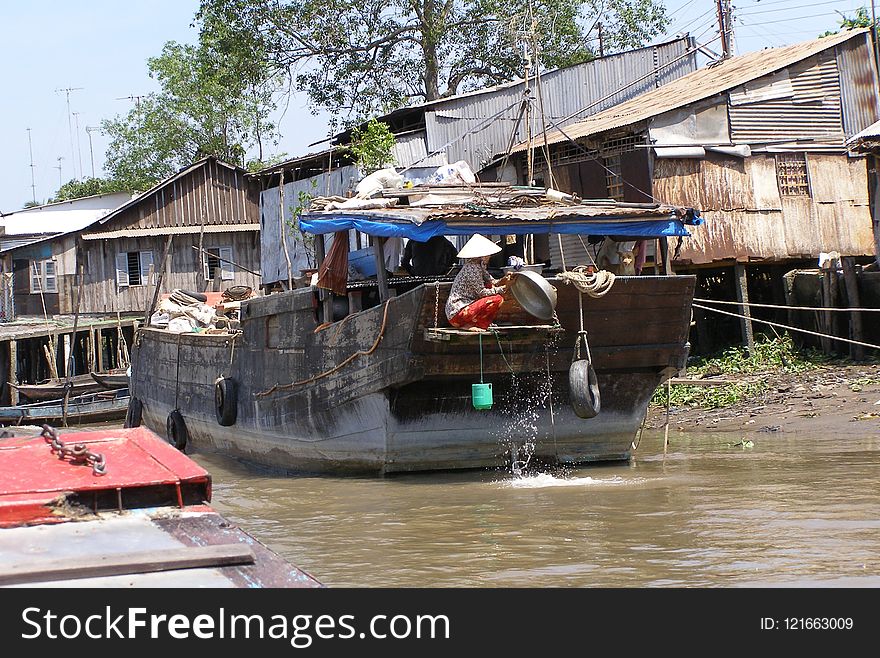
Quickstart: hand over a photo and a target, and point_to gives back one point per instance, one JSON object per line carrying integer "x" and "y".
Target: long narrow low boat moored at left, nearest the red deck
{"x": 85, "y": 408}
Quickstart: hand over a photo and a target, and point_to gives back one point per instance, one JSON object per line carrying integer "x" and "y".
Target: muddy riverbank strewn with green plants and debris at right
{"x": 779, "y": 388}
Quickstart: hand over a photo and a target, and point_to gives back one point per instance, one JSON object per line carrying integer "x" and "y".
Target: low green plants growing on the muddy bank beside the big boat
{"x": 771, "y": 355}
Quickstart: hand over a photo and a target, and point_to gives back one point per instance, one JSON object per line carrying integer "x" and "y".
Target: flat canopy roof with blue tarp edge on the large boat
{"x": 421, "y": 224}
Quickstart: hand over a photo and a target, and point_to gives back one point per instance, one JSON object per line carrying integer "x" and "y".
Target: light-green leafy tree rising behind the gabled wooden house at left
{"x": 213, "y": 102}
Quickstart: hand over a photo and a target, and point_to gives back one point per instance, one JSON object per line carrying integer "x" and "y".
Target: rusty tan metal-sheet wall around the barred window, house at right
{"x": 746, "y": 217}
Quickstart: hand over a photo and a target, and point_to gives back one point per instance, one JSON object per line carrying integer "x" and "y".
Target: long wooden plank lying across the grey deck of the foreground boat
{"x": 118, "y": 564}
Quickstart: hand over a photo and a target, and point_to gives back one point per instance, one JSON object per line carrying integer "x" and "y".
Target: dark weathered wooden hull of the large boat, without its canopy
{"x": 407, "y": 405}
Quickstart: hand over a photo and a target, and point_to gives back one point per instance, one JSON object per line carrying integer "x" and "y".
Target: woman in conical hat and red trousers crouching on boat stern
{"x": 475, "y": 297}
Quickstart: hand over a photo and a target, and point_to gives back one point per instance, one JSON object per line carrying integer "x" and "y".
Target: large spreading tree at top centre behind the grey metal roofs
{"x": 358, "y": 58}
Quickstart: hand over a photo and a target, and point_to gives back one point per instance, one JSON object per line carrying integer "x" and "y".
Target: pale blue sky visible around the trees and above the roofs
{"x": 98, "y": 49}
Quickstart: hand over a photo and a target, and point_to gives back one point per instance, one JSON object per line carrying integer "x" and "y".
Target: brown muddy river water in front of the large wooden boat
{"x": 789, "y": 511}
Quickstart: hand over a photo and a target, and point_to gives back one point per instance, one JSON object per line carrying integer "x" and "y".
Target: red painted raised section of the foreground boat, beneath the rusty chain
{"x": 32, "y": 477}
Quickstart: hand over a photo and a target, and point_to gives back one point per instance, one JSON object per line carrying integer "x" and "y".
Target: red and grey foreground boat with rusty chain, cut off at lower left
{"x": 125, "y": 510}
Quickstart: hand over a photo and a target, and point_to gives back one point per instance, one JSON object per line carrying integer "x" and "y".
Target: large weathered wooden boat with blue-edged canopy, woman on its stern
{"x": 388, "y": 388}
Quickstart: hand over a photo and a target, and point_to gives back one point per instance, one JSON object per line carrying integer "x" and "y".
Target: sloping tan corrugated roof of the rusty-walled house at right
{"x": 698, "y": 86}
